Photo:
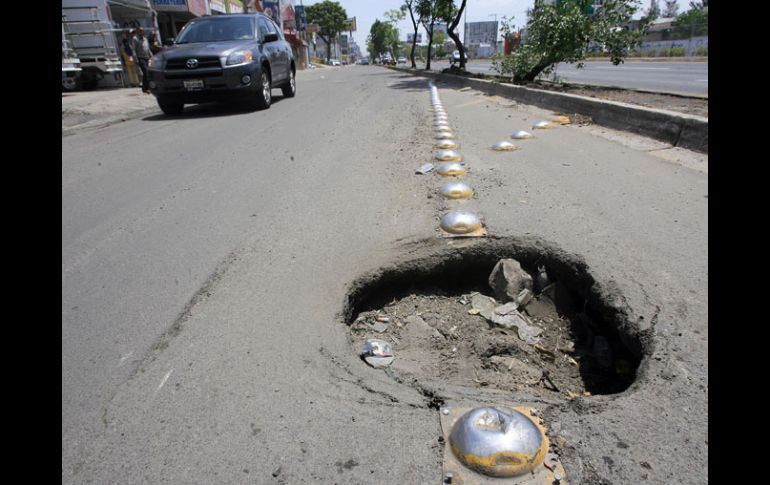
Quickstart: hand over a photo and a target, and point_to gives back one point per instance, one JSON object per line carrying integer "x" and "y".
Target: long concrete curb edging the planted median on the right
{"x": 677, "y": 129}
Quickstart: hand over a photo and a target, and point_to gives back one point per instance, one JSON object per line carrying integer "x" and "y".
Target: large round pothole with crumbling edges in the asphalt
{"x": 425, "y": 309}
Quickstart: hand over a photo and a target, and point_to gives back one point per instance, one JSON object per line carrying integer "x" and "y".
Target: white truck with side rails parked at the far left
{"x": 92, "y": 29}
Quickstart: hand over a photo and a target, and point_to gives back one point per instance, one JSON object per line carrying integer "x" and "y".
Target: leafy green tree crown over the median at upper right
{"x": 563, "y": 32}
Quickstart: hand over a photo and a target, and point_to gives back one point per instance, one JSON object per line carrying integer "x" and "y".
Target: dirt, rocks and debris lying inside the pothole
{"x": 537, "y": 341}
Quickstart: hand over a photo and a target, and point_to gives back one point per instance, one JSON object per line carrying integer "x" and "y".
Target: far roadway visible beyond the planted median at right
{"x": 688, "y": 78}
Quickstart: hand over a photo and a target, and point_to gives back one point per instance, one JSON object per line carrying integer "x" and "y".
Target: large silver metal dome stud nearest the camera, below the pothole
{"x": 498, "y": 442}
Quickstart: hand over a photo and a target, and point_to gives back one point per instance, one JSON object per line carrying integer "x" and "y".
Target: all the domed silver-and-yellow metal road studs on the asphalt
{"x": 502, "y": 444}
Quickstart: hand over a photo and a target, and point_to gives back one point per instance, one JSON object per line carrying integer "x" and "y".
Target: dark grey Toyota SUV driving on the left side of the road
{"x": 221, "y": 58}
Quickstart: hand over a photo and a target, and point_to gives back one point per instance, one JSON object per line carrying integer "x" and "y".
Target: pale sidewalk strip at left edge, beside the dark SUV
{"x": 102, "y": 107}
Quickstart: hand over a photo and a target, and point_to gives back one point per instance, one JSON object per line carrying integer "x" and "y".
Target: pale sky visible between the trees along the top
{"x": 367, "y": 11}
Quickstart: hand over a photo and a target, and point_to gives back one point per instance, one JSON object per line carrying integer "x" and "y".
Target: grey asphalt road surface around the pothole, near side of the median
{"x": 206, "y": 260}
